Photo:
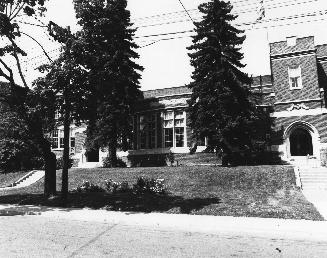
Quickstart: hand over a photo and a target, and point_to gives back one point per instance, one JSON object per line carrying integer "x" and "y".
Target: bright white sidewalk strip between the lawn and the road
{"x": 266, "y": 227}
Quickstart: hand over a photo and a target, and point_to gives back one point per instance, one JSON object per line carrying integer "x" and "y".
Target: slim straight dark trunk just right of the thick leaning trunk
{"x": 64, "y": 186}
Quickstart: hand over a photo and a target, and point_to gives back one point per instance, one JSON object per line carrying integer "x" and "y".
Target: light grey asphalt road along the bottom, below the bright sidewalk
{"x": 38, "y": 236}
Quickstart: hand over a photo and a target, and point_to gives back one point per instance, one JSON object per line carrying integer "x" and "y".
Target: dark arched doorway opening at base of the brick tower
{"x": 301, "y": 142}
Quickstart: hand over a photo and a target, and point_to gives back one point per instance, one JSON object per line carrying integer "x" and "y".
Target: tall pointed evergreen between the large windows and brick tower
{"x": 220, "y": 105}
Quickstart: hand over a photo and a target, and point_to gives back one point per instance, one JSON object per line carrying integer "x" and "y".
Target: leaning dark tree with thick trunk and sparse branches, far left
{"x": 28, "y": 106}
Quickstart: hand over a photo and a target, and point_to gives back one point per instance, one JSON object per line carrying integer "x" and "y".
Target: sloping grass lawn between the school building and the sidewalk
{"x": 256, "y": 191}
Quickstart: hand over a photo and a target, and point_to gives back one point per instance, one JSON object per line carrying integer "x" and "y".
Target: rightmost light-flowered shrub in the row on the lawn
{"x": 147, "y": 185}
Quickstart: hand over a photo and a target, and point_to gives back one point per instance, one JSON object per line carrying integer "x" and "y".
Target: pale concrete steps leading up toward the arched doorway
{"x": 313, "y": 178}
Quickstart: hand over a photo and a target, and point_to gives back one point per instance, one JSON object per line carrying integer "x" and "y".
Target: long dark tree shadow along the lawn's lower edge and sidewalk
{"x": 115, "y": 202}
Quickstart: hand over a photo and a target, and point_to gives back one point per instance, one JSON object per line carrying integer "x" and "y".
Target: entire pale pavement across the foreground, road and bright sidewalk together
{"x": 99, "y": 233}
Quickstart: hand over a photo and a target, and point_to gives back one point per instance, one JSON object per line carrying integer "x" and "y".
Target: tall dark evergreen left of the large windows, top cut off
{"x": 108, "y": 52}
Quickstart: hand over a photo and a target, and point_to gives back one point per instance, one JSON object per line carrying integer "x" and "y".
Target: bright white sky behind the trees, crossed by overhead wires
{"x": 166, "y": 62}
